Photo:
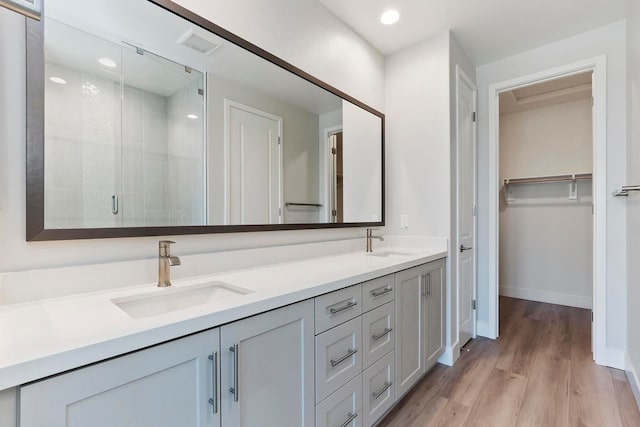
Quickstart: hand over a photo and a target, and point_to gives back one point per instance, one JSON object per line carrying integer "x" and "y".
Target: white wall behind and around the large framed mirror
{"x": 301, "y": 32}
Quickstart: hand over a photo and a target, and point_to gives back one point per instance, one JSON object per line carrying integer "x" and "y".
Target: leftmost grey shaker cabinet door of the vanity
{"x": 163, "y": 386}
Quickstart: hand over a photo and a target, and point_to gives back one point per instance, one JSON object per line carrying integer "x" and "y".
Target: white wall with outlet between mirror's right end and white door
{"x": 418, "y": 139}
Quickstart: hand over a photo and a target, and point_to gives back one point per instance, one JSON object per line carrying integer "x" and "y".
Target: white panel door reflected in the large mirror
{"x": 254, "y": 179}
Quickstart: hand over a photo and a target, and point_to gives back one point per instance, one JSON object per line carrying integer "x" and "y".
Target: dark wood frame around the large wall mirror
{"x": 35, "y": 230}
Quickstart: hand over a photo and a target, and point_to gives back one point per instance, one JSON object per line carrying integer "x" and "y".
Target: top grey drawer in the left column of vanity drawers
{"x": 338, "y": 307}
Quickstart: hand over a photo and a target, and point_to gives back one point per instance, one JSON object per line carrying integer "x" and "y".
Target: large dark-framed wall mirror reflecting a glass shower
{"x": 145, "y": 119}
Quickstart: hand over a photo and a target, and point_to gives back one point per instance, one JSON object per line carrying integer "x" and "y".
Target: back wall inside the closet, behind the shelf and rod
{"x": 546, "y": 239}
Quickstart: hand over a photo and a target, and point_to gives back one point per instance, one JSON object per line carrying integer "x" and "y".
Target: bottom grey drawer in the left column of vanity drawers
{"x": 342, "y": 408}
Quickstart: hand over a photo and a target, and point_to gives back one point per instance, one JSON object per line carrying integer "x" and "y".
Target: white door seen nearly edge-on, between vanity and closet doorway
{"x": 466, "y": 194}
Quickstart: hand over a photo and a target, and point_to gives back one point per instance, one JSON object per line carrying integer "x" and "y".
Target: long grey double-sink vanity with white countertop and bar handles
{"x": 327, "y": 341}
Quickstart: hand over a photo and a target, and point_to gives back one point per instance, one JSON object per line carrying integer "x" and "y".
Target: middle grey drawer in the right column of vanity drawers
{"x": 378, "y": 335}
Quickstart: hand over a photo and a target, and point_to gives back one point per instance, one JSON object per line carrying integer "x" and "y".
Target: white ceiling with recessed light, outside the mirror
{"x": 487, "y": 30}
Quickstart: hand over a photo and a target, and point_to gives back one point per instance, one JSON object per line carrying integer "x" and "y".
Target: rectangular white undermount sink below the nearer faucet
{"x": 165, "y": 300}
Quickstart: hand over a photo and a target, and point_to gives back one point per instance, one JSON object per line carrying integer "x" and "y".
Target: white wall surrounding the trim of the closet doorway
{"x": 609, "y": 40}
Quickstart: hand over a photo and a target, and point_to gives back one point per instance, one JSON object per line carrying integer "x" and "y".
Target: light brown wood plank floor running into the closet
{"x": 539, "y": 372}
